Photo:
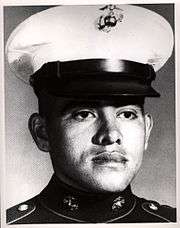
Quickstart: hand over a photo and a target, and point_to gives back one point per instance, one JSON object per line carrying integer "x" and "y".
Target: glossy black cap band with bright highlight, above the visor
{"x": 95, "y": 66}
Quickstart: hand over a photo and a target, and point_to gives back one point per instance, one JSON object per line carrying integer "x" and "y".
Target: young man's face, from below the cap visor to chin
{"x": 97, "y": 146}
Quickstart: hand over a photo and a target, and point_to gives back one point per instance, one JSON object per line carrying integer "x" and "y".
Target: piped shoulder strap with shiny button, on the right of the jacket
{"x": 164, "y": 212}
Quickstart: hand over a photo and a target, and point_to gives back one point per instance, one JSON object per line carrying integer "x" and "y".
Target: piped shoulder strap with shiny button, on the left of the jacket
{"x": 20, "y": 211}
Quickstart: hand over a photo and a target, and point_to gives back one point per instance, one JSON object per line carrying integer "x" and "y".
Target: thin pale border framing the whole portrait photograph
{"x": 2, "y": 103}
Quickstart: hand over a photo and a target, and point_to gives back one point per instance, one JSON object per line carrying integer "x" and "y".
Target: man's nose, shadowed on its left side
{"x": 107, "y": 134}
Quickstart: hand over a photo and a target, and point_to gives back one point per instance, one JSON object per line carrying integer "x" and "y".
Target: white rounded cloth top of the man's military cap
{"x": 66, "y": 33}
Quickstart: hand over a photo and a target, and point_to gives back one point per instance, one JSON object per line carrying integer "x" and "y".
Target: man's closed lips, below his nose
{"x": 108, "y": 157}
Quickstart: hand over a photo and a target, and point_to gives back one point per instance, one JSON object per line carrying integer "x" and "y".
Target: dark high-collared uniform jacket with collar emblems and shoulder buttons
{"x": 59, "y": 203}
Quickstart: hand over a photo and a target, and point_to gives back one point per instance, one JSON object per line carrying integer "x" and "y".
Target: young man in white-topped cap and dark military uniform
{"x": 91, "y": 72}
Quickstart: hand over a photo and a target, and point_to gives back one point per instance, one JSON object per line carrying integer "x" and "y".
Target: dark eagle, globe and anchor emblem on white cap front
{"x": 110, "y": 19}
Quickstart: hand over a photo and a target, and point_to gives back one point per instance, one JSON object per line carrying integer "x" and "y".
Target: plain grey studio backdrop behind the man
{"x": 16, "y": 88}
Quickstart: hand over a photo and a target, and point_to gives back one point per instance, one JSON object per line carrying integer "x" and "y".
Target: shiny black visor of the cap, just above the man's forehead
{"x": 102, "y": 89}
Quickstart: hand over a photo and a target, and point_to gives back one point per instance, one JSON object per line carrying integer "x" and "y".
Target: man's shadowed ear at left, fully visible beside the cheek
{"x": 37, "y": 127}
